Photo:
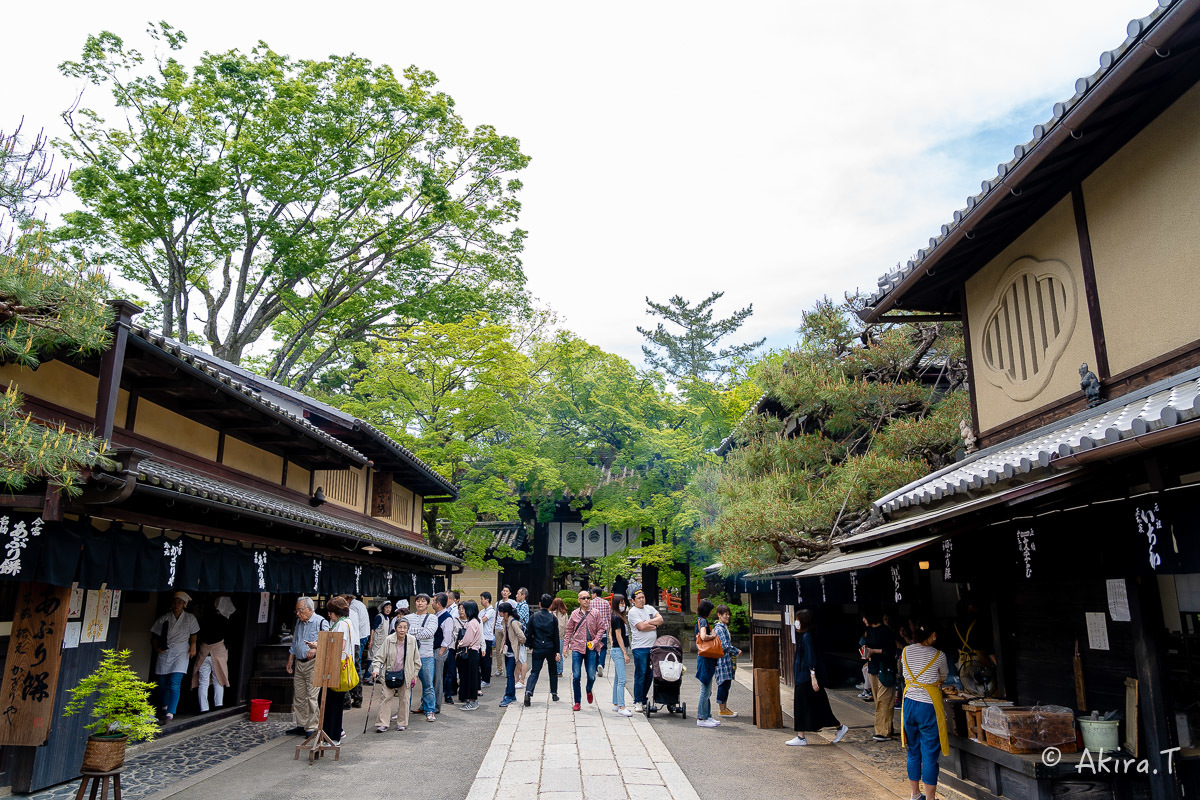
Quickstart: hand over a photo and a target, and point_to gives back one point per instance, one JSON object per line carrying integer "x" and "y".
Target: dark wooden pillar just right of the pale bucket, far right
{"x": 1147, "y": 618}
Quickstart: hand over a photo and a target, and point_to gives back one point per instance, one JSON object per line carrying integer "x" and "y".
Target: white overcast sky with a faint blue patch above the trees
{"x": 776, "y": 152}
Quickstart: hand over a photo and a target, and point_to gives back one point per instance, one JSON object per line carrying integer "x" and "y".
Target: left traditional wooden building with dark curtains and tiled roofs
{"x": 225, "y": 484}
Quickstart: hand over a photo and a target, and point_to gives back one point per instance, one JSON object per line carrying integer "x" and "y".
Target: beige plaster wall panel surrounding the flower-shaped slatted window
{"x": 1049, "y": 243}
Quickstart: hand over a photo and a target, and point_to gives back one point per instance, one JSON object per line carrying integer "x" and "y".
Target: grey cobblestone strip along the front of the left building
{"x": 153, "y": 771}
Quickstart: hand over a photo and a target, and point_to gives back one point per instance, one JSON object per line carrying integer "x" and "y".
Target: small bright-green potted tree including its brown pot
{"x": 121, "y": 707}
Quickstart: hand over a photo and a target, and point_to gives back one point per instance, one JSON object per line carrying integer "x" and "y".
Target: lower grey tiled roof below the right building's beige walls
{"x": 1031, "y": 456}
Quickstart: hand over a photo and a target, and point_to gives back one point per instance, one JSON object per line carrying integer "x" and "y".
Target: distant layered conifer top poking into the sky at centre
{"x": 692, "y": 354}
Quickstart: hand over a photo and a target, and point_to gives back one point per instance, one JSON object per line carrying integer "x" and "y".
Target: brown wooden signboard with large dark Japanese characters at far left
{"x": 32, "y": 672}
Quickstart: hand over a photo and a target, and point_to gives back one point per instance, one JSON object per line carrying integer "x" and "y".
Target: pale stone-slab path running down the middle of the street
{"x": 550, "y": 753}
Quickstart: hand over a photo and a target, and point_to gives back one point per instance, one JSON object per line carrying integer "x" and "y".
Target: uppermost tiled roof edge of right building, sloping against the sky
{"x": 967, "y": 218}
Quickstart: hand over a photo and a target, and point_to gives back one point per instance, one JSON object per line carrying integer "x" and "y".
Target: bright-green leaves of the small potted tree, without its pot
{"x": 121, "y": 701}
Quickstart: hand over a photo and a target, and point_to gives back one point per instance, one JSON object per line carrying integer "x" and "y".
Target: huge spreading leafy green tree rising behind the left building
{"x": 326, "y": 202}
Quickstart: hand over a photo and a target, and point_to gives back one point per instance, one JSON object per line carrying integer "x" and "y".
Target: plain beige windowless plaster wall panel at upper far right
{"x": 1144, "y": 224}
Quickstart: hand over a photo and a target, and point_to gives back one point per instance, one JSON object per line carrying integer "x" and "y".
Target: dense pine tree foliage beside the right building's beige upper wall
{"x": 875, "y": 408}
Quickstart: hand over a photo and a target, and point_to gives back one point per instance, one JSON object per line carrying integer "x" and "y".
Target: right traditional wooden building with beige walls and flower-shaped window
{"x": 1076, "y": 524}
